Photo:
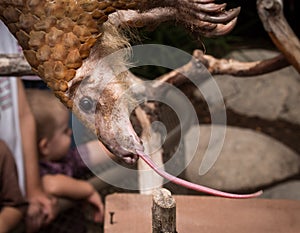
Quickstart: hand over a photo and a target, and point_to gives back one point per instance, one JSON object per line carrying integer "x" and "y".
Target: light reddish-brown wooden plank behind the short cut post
{"x": 132, "y": 213}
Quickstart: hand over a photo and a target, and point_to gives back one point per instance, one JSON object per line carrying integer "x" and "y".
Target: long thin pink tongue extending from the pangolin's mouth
{"x": 190, "y": 185}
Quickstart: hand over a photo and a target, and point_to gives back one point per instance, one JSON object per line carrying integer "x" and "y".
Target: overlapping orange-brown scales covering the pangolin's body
{"x": 56, "y": 36}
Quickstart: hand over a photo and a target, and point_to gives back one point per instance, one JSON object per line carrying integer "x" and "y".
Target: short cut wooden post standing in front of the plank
{"x": 163, "y": 212}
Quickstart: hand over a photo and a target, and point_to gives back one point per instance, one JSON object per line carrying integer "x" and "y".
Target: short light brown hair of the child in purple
{"x": 45, "y": 107}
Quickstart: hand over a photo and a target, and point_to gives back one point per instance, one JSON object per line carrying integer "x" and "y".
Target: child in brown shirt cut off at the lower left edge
{"x": 12, "y": 203}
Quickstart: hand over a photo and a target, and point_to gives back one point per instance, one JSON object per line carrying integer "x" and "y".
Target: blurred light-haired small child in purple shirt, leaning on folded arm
{"x": 61, "y": 168}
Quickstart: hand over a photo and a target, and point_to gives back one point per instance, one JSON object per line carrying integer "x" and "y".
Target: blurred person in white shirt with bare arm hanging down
{"x": 17, "y": 130}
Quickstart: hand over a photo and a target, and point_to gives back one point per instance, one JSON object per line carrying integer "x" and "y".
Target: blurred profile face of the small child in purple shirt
{"x": 59, "y": 144}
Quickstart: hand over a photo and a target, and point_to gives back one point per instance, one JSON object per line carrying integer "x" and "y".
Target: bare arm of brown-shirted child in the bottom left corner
{"x": 9, "y": 218}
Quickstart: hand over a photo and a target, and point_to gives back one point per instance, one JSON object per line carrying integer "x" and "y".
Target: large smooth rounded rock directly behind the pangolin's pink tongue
{"x": 247, "y": 160}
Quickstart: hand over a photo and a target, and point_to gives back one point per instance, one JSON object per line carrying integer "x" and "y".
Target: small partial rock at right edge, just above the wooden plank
{"x": 286, "y": 190}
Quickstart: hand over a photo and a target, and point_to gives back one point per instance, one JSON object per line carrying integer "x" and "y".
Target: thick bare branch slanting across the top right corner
{"x": 271, "y": 15}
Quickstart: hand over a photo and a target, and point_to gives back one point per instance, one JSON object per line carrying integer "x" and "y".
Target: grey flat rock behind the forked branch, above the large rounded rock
{"x": 271, "y": 96}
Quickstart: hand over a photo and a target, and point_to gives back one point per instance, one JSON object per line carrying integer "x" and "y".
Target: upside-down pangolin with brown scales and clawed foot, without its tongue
{"x": 66, "y": 41}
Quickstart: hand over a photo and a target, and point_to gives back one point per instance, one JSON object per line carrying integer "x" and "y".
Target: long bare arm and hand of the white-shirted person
{"x": 34, "y": 191}
